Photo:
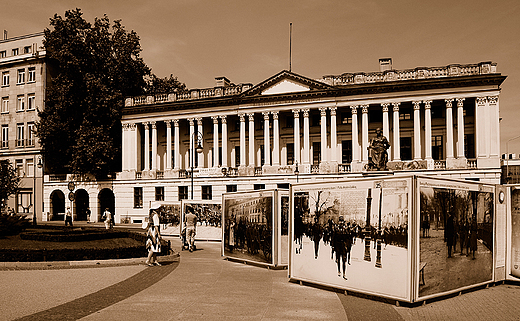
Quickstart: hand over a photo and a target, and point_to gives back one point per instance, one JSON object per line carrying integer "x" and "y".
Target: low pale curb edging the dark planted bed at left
{"x": 82, "y": 264}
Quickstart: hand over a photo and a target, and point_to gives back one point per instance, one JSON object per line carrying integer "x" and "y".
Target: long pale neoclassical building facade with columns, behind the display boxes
{"x": 289, "y": 128}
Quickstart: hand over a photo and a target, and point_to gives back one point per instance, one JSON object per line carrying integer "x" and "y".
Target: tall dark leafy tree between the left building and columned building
{"x": 93, "y": 67}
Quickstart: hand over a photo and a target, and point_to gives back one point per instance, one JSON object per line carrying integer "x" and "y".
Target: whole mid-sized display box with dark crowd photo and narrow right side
{"x": 253, "y": 226}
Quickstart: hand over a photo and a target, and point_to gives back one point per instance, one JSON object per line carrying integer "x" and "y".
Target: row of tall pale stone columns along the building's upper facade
{"x": 485, "y": 120}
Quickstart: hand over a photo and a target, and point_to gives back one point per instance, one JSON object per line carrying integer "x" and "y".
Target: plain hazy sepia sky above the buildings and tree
{"x": 248, "y": 41}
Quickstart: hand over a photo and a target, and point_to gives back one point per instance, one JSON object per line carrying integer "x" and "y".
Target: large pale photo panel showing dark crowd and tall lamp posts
{"x": 353, "y": 235}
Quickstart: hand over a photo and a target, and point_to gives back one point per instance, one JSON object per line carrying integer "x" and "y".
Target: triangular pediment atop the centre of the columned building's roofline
{"x": 286, "y": 82}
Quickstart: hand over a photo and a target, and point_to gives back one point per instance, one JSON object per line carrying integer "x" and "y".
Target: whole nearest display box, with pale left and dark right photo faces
{"x": 398, "y": 237}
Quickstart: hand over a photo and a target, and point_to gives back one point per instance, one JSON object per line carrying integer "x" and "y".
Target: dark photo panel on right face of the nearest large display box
{"x": 456, "y": 235}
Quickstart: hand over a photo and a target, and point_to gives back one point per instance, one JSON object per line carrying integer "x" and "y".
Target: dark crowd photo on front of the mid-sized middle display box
{"x": 249, "y": 227}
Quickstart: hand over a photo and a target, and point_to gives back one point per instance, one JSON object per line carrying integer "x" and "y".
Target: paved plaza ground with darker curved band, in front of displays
{"x": 202, "y": 286}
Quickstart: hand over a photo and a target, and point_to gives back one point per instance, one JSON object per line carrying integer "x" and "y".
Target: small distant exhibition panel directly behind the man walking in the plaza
{"x": 209, "y": 219}
